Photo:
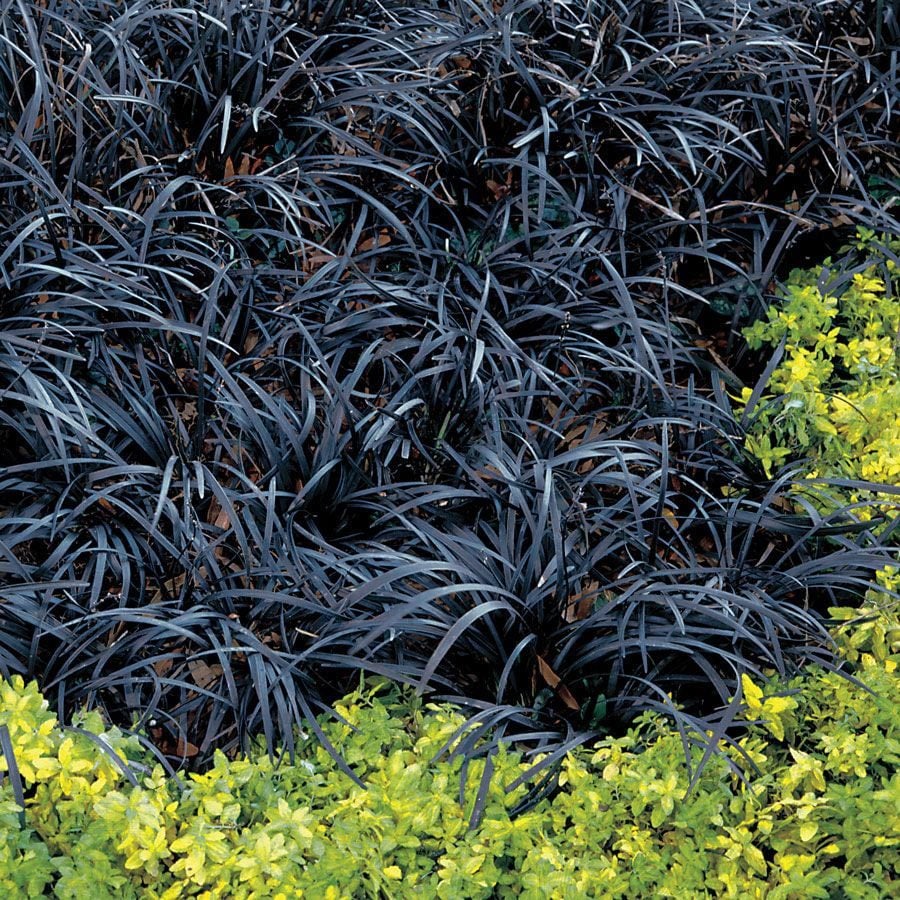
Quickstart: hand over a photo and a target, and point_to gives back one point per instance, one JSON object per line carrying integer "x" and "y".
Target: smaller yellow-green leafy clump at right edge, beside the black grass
{"x": 834, "y": 400}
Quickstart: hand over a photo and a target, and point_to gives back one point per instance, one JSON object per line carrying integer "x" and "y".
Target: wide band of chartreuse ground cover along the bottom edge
{"x": 820, "y": 816}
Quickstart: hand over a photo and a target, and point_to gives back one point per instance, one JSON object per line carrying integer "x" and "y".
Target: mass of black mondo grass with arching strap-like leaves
{"x": 351, "y": 338}
